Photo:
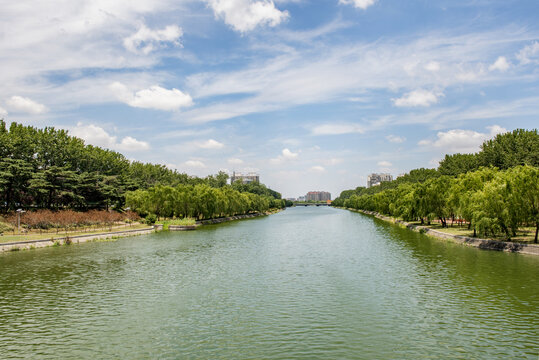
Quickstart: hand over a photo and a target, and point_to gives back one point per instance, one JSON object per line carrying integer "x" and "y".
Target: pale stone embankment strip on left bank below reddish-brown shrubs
{"x": 76, "y": 239}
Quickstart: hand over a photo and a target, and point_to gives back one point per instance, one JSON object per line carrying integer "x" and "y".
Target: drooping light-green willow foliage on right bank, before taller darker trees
{"x": 494, "y": 202}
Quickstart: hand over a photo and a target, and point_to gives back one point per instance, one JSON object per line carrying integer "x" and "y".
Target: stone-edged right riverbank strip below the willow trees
{"x": 483, "y": 244}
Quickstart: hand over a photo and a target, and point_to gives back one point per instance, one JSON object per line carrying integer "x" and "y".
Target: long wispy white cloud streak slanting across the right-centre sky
{"x": 325, "y": 73}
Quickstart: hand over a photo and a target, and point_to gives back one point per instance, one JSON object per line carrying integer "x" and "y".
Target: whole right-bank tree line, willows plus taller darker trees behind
{"x": 494, "y": 191}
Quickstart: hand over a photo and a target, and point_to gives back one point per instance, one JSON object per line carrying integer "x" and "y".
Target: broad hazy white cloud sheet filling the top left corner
{"x": 71, "y": 36}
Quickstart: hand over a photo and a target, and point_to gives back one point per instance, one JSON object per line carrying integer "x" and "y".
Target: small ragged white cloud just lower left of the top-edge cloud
{"x": 146, "y": 40}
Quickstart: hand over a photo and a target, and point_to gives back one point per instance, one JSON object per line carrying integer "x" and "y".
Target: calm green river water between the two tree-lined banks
{"x": 307, "y": 283}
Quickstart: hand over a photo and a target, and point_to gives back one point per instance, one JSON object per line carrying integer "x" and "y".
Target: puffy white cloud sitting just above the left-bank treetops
{"x": 97, "y": 136}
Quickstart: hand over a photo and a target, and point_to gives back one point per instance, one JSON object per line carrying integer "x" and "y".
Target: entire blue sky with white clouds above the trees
{"x": 312, "y": 95}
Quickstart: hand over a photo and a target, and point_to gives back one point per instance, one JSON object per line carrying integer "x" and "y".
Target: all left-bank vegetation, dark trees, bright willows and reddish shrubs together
{"x": 52, "y": 183}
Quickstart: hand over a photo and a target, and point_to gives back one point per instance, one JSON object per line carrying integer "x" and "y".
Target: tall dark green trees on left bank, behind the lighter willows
{"x": 49, "y": 169}
